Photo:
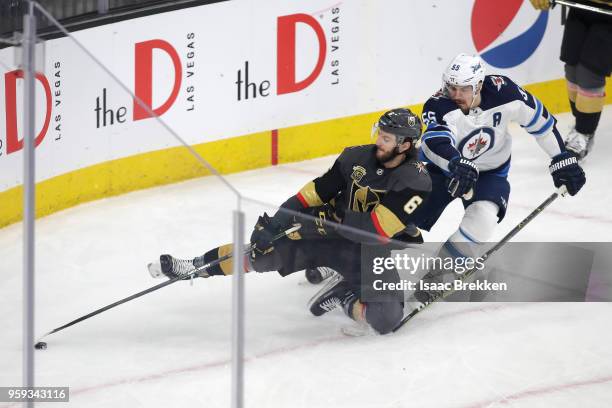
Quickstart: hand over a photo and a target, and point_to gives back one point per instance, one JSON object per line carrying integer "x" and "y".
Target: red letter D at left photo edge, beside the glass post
{"x": 13, "y": 143}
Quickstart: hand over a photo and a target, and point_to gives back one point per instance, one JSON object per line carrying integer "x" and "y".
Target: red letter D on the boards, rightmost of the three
{"x": 285, "y": 63}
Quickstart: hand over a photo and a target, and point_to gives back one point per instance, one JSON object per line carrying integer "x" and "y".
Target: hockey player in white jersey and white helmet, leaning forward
{"x": 467, "y": 148}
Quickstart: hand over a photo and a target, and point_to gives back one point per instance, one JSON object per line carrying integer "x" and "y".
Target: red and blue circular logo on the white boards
{"x": 490, "y": 19}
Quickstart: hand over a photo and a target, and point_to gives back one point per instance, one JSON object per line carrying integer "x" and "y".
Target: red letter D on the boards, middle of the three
{"x": 144, "y": 77}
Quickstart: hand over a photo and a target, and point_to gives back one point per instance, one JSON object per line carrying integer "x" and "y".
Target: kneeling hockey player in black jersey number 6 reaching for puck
{"x": 375, "y": 190}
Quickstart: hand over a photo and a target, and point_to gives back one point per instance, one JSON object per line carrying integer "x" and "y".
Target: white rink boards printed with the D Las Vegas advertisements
{"x": 214, "y": 72}
